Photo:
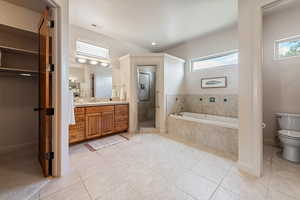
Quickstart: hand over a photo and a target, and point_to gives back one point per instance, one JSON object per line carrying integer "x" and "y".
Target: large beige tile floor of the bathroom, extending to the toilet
{"x": 152, "y": 167}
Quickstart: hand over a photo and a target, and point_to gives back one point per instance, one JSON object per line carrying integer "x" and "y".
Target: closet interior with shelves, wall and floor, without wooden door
{"x": 20, "y": 170}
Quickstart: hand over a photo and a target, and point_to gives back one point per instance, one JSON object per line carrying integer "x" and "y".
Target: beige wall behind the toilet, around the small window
{"x": 281, "y": 82}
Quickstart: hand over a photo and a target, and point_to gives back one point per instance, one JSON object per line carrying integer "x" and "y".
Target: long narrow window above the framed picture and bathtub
{"x": 224, "y": 59}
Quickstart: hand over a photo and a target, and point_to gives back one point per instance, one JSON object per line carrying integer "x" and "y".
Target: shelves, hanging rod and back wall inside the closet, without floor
{"x": 19, "y": 85}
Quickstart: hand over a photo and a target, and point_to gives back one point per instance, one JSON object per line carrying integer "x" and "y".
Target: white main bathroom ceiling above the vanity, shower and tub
{"x": 166, "y": 22}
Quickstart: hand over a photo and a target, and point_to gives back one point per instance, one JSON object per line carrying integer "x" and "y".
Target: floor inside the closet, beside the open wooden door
{"x": 20, "y": 174}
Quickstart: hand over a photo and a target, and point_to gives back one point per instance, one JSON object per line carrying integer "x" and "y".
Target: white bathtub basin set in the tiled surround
{"x": 226, "y": 122}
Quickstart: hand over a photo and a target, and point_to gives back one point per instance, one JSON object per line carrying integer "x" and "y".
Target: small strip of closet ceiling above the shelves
{"x": 35, "y": 5}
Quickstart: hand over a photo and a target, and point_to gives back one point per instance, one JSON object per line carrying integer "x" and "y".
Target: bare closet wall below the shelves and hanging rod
{"x": 18, "y": 121}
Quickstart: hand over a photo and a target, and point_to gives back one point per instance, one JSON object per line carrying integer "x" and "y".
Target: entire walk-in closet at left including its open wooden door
{"x": 24, "y": 56}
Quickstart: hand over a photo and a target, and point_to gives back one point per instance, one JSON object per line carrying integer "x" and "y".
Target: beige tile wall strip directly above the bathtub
{"x": 223, "y": 105}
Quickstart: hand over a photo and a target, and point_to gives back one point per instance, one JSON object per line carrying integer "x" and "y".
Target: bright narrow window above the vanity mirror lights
{"x": 85, "y": 49}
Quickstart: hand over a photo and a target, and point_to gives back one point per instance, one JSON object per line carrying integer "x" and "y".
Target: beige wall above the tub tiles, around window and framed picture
{"x": 217, "y": 42}
